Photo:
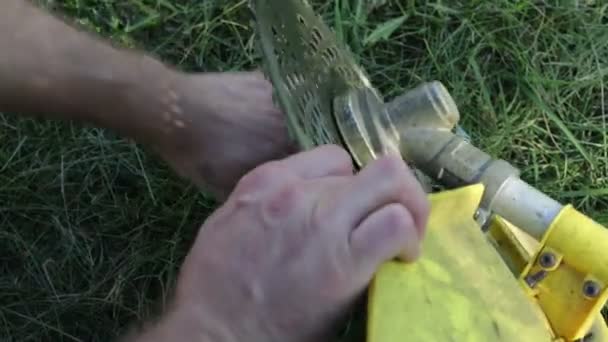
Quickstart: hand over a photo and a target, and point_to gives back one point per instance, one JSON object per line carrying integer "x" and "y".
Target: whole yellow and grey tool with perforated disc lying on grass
{"x": 503, "y": 260}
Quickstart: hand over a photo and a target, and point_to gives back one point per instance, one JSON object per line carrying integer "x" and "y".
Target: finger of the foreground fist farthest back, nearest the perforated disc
{"x": 324, "y": 161}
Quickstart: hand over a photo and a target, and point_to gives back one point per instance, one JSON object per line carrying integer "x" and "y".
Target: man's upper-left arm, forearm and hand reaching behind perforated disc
{"x": 212, "y": 128}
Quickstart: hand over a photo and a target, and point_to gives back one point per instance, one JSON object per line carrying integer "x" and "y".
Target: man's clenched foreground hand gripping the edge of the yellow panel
{"x": 293, "y": 247}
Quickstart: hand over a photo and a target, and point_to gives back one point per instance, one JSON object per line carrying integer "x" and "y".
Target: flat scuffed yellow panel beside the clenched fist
{"x": 460, "y": 289}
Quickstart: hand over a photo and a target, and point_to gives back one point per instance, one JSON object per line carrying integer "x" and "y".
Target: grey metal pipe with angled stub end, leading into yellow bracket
{"x": 425, "y": 118}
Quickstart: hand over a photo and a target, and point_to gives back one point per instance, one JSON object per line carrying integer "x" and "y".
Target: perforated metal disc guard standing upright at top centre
{"x": 308, "y": 67}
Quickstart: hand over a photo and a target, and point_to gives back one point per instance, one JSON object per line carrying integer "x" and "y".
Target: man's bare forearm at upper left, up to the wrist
{"x": 49, "y": 69}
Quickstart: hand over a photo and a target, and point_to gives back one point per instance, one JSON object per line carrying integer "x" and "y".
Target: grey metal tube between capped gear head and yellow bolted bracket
{"x": 454, "y": 162}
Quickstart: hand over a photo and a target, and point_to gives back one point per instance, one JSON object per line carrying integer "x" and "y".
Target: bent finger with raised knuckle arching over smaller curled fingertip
{"x": 383, "y": 182}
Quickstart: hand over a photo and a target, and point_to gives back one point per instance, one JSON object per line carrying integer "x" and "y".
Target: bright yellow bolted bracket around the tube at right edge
{"x": 580, "y": 248}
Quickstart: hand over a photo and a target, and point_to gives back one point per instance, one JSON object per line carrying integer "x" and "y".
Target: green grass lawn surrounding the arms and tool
{"x": 94, "y": 228}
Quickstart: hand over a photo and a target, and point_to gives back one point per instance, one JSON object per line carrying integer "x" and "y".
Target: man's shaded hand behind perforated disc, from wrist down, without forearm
{"x": 226, "y": 124}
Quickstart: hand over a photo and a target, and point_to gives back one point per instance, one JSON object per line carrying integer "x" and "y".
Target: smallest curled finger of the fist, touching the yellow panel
{"x": 384, "y": 235}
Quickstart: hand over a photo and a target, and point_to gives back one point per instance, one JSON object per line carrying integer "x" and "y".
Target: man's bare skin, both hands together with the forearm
{"x": 299, "y": 236}
